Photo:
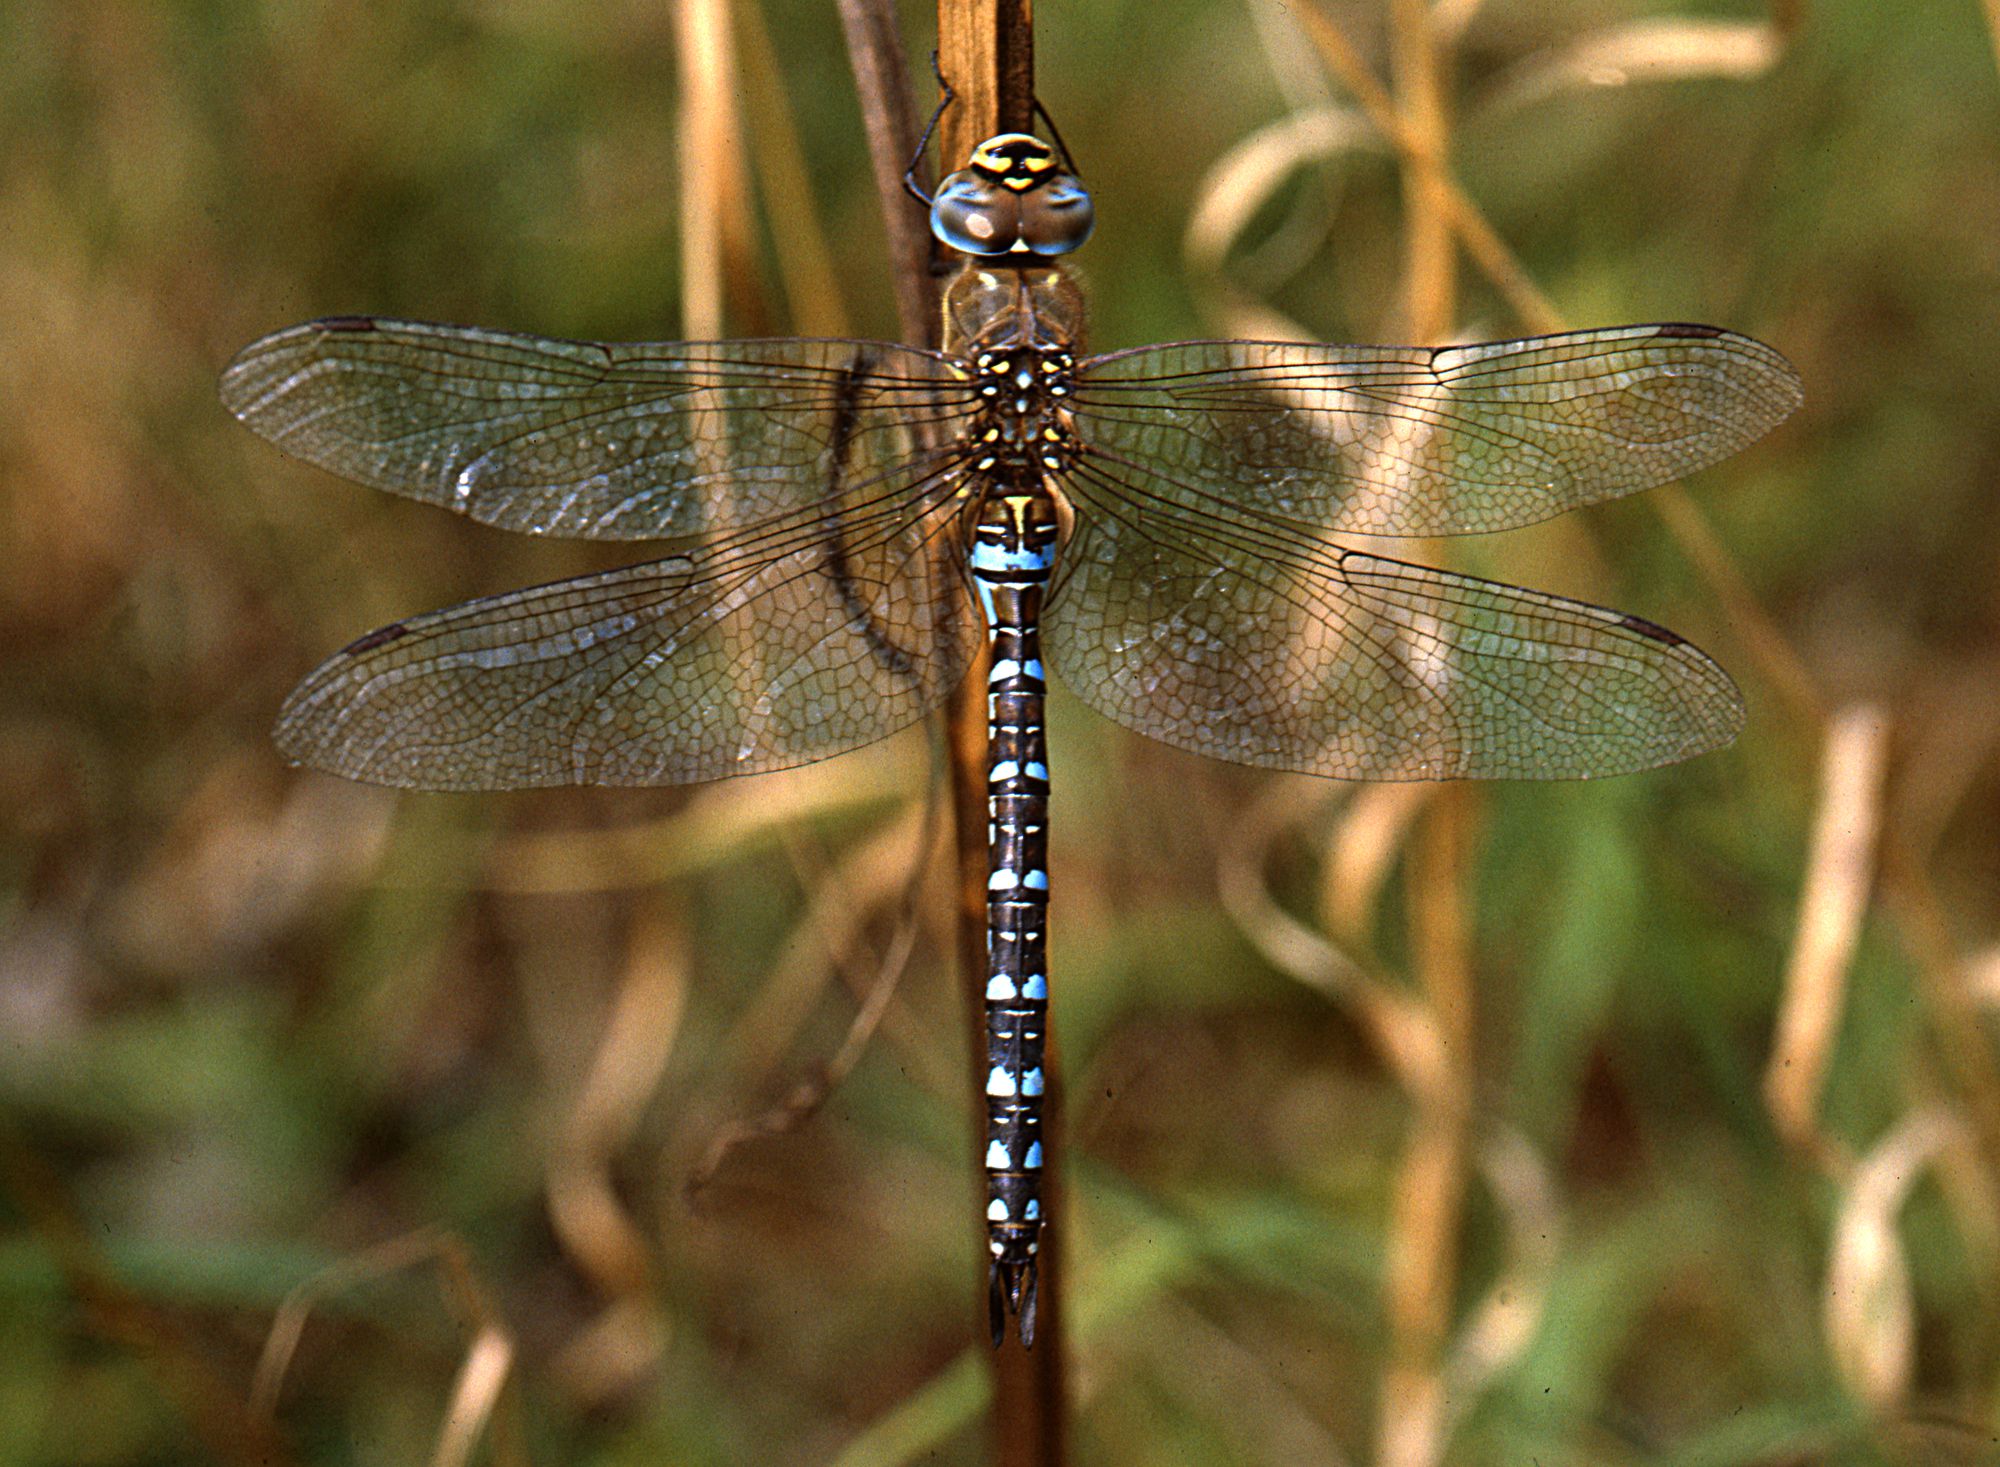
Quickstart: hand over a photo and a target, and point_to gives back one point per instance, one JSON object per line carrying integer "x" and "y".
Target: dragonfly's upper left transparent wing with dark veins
{"x": 591, "y": 441}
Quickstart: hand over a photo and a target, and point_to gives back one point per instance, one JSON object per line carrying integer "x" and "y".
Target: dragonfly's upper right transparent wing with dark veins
{"x": 1389, "y": 441}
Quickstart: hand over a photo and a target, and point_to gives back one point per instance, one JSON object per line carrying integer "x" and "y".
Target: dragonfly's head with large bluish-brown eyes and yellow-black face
{"x": 1013, "y": 199}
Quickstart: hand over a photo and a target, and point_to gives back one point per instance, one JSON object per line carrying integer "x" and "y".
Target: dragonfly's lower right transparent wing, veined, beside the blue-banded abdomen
{"x": 1283, "y": 651}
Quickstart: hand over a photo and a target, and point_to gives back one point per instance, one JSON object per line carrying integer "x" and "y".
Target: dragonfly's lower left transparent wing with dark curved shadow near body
{"x": 759, "y": 651}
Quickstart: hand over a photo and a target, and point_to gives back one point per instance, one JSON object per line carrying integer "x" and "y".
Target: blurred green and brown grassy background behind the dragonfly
{"x": 259, "y": 1026}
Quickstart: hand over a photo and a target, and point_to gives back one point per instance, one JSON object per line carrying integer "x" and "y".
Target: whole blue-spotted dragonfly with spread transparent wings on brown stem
{"x": 847, "y": 525}
